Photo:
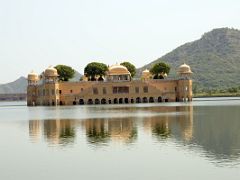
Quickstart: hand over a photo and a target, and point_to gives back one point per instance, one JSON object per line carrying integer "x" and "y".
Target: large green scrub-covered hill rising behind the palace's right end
{"x": 214, "y": 59}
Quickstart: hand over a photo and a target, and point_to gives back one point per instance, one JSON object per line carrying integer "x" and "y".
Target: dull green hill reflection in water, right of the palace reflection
{"x": 216, "y": 129}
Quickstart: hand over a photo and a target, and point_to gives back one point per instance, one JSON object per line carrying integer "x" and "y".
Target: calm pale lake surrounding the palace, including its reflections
{"x": 196, "y": 140}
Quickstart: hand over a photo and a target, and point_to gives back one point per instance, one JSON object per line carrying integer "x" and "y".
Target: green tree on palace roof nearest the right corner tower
{"x": 158, "y": 70}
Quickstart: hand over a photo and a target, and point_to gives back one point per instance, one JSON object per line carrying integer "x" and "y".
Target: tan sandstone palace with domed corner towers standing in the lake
{"x": 117, "y": 88}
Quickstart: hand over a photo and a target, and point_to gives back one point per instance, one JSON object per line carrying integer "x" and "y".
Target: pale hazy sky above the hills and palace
{"x": 35, "y": 34}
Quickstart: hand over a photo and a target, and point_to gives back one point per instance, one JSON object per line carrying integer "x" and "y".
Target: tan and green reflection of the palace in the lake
{"x": 171, "y": 120}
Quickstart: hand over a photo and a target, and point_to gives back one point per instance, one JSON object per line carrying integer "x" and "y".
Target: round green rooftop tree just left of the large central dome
{"x": 94, "y": 69}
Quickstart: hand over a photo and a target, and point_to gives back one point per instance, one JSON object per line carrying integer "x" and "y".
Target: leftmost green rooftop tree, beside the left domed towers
{"x": 65, "y": 72}
